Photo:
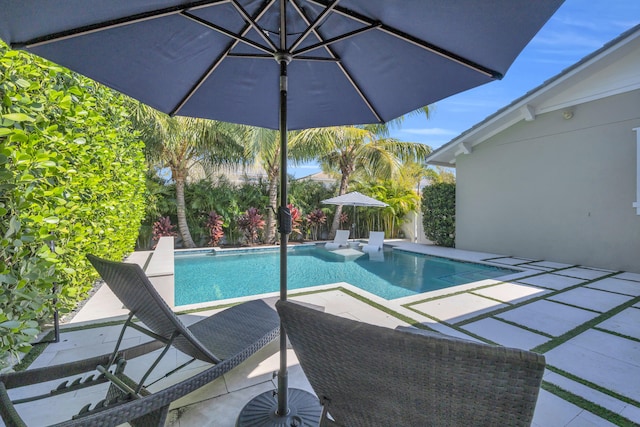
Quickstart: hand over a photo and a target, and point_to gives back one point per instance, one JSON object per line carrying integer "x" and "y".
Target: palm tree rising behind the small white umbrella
{"x": 347, "y": 149}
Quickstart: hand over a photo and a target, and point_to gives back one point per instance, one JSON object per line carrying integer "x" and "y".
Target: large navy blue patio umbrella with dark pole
{"x": 280, "y": 64}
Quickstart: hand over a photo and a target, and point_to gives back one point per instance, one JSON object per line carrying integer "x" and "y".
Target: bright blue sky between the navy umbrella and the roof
{"x": 578, "y": 28}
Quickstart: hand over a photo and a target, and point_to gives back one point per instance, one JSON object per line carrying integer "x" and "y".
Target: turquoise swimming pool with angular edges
{"x": 392, "y": 274}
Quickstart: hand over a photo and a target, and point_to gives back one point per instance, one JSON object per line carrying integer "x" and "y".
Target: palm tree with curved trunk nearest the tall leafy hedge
{"x": 178, "y": 143}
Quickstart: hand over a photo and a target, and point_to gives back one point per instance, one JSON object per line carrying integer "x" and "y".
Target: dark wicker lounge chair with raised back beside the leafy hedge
{"x": 225, "y": 340}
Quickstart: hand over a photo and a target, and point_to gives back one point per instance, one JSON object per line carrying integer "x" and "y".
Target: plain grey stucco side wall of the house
{"x": 555, "y": 189}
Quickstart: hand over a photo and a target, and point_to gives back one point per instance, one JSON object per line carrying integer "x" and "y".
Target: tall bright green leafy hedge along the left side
{"x": 71, "y": 173}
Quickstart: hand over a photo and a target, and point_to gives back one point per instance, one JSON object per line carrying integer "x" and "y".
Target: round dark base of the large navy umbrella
{"x": 304, "y": 410}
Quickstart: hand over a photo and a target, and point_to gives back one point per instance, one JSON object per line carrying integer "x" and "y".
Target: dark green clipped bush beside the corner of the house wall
{"x": 439, "y": 213}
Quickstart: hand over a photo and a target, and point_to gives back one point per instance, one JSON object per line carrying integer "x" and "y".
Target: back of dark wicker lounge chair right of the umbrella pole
{"x": 365, "y": 375}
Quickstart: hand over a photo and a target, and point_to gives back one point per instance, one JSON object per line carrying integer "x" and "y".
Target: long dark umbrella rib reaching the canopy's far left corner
{"x": 114, "y": 23}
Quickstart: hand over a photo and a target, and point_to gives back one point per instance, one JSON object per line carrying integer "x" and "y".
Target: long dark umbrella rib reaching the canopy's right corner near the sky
{"x": 416, "y": 42}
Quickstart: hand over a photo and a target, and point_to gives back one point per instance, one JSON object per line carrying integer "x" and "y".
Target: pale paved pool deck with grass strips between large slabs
{"x": 586, "y": 321}
